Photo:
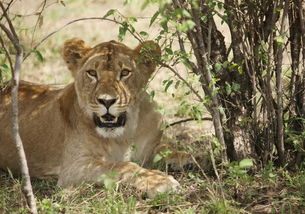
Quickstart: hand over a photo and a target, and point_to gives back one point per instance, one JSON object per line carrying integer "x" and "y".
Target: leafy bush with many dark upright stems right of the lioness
{"x": 255, "y": 97}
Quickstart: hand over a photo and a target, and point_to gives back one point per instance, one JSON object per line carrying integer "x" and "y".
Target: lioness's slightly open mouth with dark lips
{"x": 110, "y": 121}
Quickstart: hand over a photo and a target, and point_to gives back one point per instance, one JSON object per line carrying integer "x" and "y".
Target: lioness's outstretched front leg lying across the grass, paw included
{"x": 150, "y": 181}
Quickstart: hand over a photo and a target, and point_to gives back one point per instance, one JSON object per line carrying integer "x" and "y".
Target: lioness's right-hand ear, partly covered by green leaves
{"x": 148, "y": 54}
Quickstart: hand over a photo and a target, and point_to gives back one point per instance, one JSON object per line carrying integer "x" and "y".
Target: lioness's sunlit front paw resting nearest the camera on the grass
{"x": 154, "y": 182}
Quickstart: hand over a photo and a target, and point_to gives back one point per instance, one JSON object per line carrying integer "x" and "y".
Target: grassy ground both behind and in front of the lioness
{"x": 240, "y": 187}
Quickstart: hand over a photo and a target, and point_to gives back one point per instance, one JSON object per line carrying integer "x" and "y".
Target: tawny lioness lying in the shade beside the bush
{"x": 96, "y": 125}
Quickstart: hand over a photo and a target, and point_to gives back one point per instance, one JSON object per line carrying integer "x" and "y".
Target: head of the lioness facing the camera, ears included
{"x": 108, "y": 78}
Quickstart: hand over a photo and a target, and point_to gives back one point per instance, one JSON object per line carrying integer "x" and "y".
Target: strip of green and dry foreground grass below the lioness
{"x": 283, "y": 192}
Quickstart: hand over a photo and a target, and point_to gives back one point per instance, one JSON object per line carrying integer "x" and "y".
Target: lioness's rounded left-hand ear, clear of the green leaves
{"x": 73, "y": 52}
